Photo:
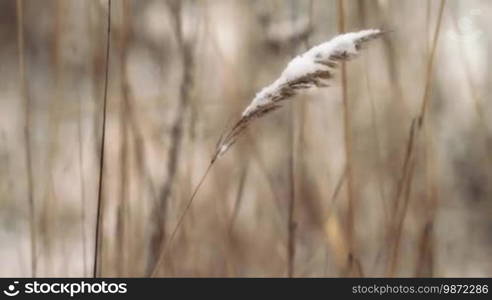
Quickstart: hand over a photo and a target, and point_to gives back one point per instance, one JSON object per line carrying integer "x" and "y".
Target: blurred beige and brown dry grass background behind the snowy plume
{"x": 279, "y": 202}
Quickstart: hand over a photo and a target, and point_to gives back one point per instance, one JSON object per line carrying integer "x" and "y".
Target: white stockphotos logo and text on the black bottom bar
{"x": 68, "y": 288}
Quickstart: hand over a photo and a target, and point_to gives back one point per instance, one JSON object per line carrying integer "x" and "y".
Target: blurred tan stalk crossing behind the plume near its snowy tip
{"x": 347, "y": 116}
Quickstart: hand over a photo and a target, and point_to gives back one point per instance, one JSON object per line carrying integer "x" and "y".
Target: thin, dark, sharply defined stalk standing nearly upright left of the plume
{"x": 97, "y": 238}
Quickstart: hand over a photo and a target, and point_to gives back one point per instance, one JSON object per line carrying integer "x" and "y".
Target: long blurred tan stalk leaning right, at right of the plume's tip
{"x": 408, "y": 168}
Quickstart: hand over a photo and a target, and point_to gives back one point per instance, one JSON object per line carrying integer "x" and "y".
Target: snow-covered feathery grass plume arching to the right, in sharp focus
{"x": 313, "y": 68}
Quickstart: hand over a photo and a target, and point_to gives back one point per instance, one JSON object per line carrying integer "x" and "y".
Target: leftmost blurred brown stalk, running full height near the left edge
{"x": 27, "y": 136}
